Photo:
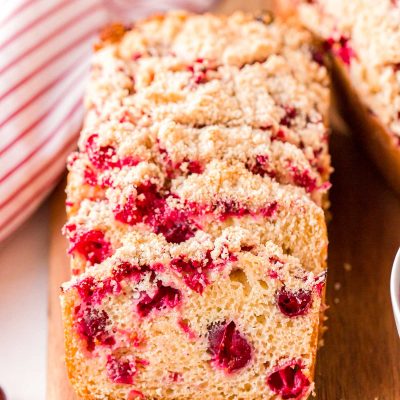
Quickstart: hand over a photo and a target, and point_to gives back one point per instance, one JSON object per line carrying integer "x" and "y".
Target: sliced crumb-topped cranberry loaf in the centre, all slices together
{"x": 196, "y": 212}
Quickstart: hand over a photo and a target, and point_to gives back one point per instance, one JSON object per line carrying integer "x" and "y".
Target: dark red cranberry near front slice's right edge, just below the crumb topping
{"x": 293, "y": 304}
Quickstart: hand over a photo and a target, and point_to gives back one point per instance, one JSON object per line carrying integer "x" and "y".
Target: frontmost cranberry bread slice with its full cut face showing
{"x": 230, "y": 317}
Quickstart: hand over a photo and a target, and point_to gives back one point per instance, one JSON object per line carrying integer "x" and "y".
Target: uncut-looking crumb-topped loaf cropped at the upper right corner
{"x": 363, "y": 38}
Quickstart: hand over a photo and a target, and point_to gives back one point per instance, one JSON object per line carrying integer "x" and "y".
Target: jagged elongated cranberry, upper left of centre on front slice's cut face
{"x": 165, "y": 297}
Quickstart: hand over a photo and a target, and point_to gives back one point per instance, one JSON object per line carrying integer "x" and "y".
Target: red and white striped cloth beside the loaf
{"x": 45, "y": 48}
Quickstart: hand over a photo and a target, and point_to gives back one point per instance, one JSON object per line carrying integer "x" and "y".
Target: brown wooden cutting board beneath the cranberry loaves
{"x": 361, "y": 356}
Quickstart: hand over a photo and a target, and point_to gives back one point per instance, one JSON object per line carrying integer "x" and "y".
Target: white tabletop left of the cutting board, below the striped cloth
{"x": 23, "y": 309}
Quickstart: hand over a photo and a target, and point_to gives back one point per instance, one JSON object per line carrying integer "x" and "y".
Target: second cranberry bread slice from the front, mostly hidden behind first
{"x": 222, "y": 195}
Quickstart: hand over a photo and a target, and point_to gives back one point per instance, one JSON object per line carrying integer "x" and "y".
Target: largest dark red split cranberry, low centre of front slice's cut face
{"x": 230, "y": 350}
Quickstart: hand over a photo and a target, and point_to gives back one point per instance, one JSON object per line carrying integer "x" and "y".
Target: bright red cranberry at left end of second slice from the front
{"x": 92, "y": 245}
